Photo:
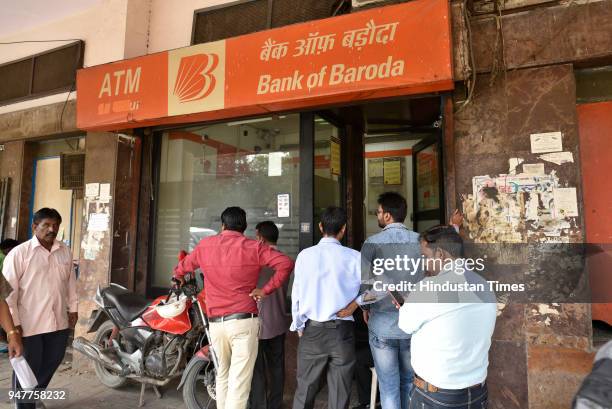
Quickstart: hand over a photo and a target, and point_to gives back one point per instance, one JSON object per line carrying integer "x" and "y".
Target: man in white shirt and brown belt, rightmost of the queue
{"x": 451, "y": 330}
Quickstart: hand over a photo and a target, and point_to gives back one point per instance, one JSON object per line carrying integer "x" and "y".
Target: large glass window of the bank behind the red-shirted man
{"x": 253, "y": 164}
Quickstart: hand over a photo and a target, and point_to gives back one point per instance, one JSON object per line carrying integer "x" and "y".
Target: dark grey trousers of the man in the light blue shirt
{"x": 331, "y": 347}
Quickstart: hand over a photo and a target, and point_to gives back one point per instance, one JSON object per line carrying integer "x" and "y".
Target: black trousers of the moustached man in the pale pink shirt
{"x": 44, "y": 354}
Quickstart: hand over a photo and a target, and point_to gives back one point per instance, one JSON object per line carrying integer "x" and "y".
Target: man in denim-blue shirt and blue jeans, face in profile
{"x": 390, "y": 346}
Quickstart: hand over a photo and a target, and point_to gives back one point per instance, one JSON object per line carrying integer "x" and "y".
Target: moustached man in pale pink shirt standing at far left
{"x": 44, "y": 299}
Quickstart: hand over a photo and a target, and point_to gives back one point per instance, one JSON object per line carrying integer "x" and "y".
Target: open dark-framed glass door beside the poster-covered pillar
{"x": 428, "y": 188}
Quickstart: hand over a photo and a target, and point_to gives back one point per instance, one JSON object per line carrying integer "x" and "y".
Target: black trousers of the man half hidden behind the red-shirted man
{"x": 269, "y": 374}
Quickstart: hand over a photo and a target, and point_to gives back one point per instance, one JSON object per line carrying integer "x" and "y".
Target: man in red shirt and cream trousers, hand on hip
{"x": 231, "y": 264}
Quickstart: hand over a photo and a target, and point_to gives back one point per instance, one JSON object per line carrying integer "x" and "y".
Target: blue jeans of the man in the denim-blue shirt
{"x": 395, "y": 375}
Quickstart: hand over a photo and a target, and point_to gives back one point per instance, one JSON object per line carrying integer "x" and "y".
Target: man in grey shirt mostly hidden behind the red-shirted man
{"x": 274, "y": 324}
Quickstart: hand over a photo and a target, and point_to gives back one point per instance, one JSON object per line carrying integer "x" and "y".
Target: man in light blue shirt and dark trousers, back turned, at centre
{"x": 327, "y": 277}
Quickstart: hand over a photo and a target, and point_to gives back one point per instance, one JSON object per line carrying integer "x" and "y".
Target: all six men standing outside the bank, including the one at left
{"x": 426, "y": 353}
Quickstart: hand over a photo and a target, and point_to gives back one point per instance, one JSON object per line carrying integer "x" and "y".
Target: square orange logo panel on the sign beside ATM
{"x": 196, "y": 78}
